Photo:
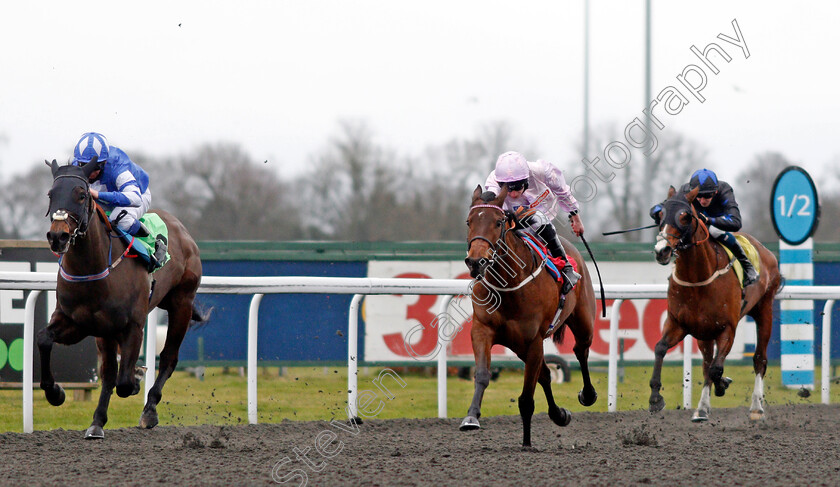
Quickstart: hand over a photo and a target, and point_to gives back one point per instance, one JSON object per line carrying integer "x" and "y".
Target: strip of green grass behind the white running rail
{"x": 321, "y": 393}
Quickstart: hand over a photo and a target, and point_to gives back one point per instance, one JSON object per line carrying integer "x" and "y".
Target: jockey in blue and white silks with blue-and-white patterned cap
{"x": 119, "y": 185}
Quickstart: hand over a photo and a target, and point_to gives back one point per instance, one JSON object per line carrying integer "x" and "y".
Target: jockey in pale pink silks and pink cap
{"x": 535, "y": 191}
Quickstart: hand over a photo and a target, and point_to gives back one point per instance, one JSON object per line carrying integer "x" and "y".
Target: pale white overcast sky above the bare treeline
{"x": 276, "y": 76}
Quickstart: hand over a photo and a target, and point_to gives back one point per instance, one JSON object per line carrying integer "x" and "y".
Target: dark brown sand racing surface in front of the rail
{"x": 795, "y": 445}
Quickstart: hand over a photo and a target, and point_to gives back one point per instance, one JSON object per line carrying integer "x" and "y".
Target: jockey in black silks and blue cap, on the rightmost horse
{"x": 716, "y": 206}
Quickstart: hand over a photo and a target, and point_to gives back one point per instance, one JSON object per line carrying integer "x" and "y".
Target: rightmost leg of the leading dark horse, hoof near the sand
{"x": 179, "y": 323}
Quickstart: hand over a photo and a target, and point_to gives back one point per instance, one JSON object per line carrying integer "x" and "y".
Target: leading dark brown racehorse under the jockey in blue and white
{"x": 101, "y": 294}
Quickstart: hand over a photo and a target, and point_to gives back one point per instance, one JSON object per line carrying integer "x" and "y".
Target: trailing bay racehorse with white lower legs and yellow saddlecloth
{"x": 705, "y": 301}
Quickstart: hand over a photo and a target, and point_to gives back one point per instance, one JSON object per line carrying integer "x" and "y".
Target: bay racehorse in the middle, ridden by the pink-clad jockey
{"x": 515, "y": 304}
